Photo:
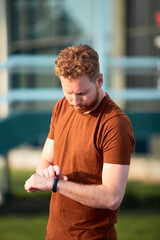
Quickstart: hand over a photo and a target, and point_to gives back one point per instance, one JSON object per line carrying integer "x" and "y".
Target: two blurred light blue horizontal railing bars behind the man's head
{"x": 47, "y": 61}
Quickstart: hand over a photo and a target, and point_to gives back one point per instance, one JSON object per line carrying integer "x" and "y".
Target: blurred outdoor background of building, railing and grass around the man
{"x": 126, "y": 34}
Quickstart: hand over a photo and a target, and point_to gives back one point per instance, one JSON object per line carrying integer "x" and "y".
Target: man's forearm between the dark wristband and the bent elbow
{"x": 97, "y": 196}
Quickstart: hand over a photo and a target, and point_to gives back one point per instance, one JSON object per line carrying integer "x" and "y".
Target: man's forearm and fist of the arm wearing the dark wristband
{"x": 97, "y": 196}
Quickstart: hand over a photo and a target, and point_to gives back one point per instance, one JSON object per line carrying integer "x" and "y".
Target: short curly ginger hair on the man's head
{"x": 77, "y": 61}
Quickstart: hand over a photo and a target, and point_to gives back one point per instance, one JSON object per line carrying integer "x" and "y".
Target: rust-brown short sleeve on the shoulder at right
{"x": 118, "y": 141}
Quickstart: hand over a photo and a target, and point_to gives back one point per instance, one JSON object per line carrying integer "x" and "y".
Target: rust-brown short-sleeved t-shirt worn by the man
{"x": 82, "y": 143}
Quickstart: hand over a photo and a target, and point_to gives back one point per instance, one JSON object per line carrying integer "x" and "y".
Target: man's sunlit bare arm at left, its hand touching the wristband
{"x": 47, "y": 156}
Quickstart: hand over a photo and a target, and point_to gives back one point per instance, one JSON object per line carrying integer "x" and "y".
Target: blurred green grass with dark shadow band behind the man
{"x": 25, "y": 215}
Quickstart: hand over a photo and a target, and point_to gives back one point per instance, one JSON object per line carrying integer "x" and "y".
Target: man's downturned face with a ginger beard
{"x": 82, "y": 94}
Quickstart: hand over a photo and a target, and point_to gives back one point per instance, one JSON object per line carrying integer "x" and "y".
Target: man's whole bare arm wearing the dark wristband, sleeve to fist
{"x": 108, "y": 195}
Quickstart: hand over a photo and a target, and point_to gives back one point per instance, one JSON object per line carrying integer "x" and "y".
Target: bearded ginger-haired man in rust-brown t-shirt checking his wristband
{"x": 86, "y": 157}
